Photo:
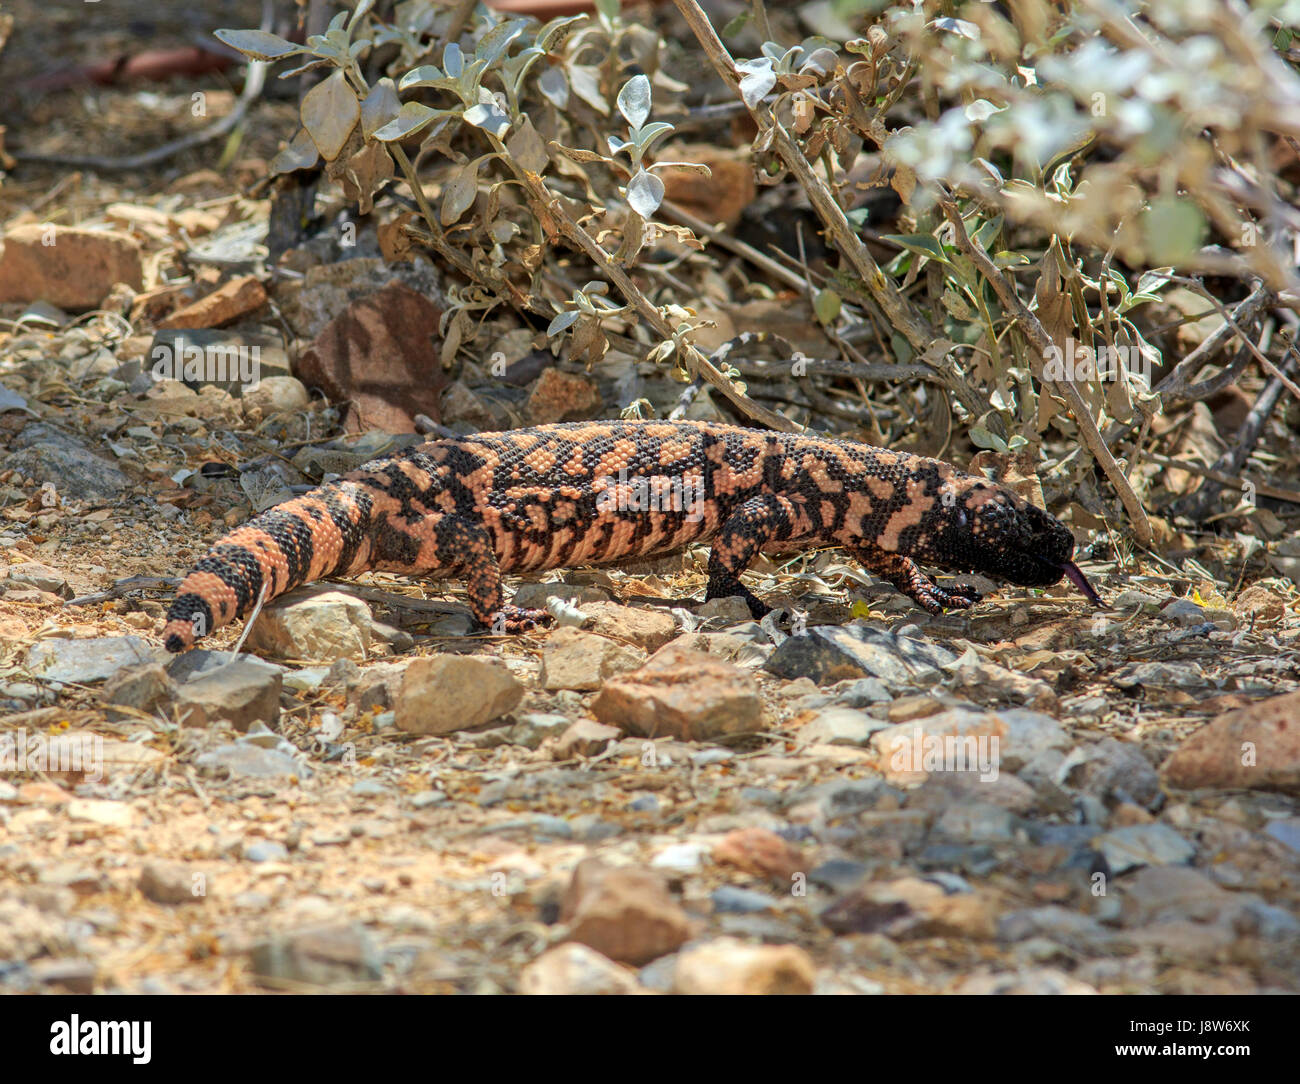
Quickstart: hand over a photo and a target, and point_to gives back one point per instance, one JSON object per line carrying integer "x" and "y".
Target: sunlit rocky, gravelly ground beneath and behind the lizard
{"x": 657, "y": 795}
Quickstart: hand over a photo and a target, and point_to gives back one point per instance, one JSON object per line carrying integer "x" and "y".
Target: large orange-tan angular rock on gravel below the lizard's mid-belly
{"x": 683, "y": 695}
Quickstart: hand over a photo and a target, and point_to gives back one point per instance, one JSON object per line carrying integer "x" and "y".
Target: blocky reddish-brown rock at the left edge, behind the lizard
{"x": 68, "y": 267}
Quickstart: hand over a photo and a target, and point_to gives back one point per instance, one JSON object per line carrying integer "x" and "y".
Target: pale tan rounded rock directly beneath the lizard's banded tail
{"x": 317, "y": 626}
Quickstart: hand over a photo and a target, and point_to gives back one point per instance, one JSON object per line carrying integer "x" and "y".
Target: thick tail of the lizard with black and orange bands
{"x": 318, "y": 535}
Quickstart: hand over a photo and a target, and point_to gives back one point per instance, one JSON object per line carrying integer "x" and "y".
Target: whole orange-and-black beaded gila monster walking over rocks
{"x": 606, "y": 492}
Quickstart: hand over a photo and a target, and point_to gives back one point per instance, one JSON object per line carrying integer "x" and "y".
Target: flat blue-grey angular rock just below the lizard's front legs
{"x": 830, "y": 653}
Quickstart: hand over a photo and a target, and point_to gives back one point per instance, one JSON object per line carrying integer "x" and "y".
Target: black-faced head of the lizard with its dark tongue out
{"x": 986, "y": 528}
